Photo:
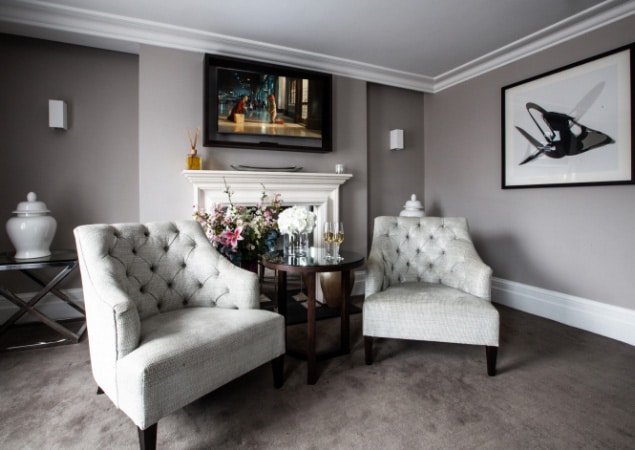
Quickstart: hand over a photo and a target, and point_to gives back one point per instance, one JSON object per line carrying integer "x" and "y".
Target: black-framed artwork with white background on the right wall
{"x": 571, "y": 126}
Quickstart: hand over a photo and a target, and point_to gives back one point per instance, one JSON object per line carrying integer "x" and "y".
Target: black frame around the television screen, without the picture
{"x": 218, "y": 66}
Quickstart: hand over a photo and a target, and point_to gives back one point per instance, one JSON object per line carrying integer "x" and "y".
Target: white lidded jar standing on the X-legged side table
{"x": 32, "y": 230}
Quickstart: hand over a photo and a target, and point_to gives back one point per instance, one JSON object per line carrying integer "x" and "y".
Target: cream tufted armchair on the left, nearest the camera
{"x": 169, "y": 318}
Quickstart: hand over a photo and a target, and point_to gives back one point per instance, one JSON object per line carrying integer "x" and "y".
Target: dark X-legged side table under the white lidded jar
{"x": 65, "y": 262}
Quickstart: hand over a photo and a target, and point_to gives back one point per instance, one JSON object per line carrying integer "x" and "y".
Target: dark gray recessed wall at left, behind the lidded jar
{"x": 88, "y": 173}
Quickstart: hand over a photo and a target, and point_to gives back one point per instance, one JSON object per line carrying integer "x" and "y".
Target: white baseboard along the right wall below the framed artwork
{"x": 600, "y": 318}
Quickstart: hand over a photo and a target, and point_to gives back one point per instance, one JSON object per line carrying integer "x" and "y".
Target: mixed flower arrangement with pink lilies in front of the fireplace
{"x": 242, "y": 233}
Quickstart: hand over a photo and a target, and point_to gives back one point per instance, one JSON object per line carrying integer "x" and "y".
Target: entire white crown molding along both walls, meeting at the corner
{"x": 84, "y": 27}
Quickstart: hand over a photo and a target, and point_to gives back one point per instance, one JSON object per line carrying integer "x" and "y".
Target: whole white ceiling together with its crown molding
{"x": 425, "y": 45}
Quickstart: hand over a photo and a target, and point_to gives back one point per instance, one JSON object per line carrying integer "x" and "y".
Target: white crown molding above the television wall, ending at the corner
{"x": 74, "y": 25}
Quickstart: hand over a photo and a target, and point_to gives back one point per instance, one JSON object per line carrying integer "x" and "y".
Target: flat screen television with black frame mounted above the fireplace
{"x": 255, "y": 105}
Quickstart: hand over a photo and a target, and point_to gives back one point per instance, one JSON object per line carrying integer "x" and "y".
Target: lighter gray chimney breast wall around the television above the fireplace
{"x": 171, "y": 100}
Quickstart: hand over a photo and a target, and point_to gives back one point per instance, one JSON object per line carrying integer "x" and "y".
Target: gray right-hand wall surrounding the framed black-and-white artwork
{"x": 575, "y": 240}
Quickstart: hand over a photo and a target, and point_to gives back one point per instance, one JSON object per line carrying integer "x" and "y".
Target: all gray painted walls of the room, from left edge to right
{"x": 122, "y": 157}
